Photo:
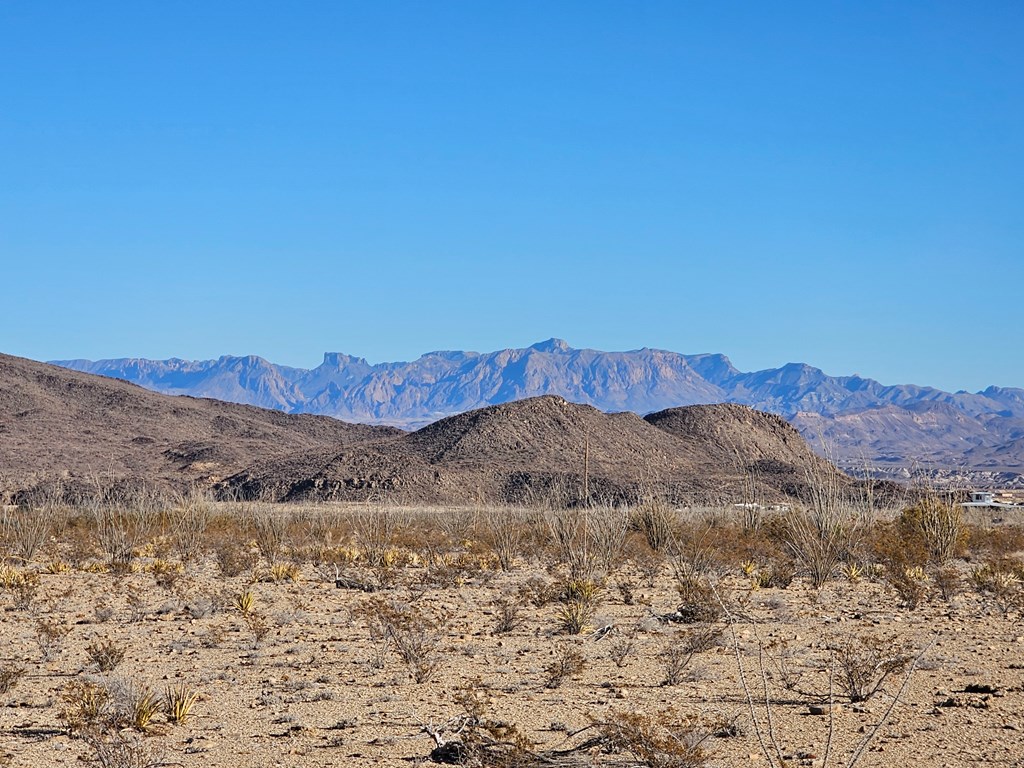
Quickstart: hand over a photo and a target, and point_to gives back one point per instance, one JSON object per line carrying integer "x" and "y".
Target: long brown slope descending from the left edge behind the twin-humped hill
{"x": 59, "y": 424}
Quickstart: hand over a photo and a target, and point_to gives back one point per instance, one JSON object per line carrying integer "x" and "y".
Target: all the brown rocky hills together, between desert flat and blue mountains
{"x": 82, "y": 429}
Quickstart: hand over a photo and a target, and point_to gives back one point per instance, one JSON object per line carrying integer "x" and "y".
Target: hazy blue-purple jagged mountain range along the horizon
{"x": 858, "y": 421}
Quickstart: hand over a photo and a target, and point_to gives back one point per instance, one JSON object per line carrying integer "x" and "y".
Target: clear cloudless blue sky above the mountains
{"x": 836, "y": 184}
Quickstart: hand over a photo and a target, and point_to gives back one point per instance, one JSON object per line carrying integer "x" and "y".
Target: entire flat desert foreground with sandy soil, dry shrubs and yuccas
{"x": 191, "y": 633}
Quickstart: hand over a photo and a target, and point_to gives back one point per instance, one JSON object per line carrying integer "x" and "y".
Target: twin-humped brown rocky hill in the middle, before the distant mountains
{"x": 546, "y": 446}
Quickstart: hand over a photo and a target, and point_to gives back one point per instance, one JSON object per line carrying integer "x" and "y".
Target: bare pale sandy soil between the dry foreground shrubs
{"x": 310, "y": 696}
